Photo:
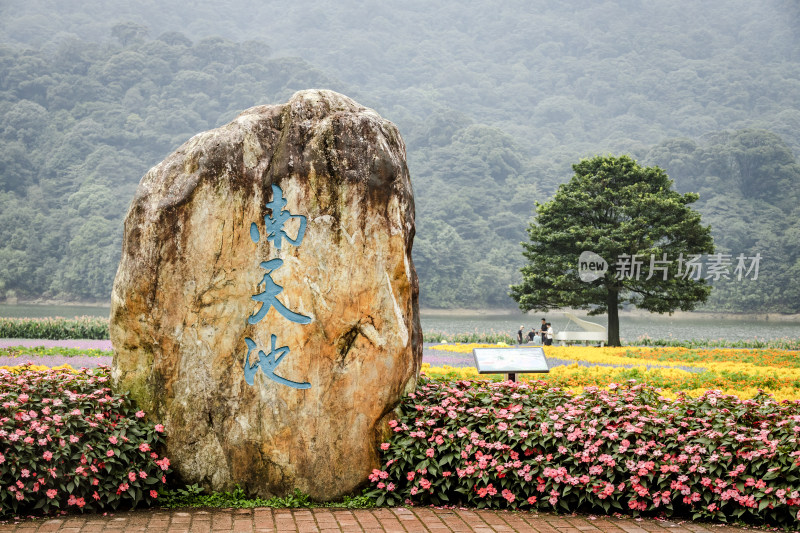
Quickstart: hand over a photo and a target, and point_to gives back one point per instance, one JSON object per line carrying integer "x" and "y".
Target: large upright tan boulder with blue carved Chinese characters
{"x": 265, "y": 307}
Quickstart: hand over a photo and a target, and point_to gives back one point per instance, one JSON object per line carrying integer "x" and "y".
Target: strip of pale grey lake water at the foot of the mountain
{"x": 631, "y": 327}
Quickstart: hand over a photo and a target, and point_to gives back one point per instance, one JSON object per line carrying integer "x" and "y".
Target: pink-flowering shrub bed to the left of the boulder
{"x": 67, "y": 442}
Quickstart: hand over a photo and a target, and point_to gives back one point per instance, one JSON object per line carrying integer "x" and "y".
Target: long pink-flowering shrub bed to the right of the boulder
{"x": 527, "y": 446}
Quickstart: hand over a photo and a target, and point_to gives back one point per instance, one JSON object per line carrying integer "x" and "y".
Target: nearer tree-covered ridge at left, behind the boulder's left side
{"x": 80, "y": 125}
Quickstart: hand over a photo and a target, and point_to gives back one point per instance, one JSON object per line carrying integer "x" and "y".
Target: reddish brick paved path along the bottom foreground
{"x": 383, "y": 520}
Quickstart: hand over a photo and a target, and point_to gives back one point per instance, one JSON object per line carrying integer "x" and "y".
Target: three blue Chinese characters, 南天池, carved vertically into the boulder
{"x": 273, "y": 224}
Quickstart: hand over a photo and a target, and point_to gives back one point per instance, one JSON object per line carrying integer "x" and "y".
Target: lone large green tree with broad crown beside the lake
{"x": 632, "y": 218}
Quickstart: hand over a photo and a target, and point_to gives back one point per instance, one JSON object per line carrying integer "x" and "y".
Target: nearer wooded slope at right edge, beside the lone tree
{"x": 749, "y": 185}
